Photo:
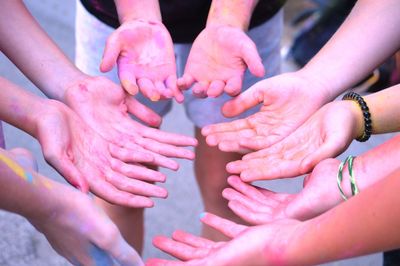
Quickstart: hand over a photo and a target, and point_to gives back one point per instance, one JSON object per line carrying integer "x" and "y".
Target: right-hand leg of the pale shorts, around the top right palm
{"x": 267, "y": 38}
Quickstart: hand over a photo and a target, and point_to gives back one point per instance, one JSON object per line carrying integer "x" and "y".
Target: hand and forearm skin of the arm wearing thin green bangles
{"x": 257, "y": 205}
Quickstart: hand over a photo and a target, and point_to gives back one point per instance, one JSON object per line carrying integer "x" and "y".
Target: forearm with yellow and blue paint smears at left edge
{"x": 22, "y": 192}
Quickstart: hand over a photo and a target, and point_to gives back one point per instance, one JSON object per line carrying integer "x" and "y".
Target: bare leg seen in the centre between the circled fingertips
{"x": 211, "y": 176}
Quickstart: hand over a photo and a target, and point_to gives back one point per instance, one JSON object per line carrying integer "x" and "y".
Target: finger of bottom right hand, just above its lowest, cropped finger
{"x": 178, "y": 249}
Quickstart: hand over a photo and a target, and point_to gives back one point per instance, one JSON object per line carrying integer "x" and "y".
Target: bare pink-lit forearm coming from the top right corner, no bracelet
{"x": 367, "y": 37}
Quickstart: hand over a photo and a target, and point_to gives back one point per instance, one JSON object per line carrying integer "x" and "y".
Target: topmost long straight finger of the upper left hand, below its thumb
{"x": 168, "y": 138}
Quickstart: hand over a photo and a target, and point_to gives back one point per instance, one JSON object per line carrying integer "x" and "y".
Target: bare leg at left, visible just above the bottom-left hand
{"x": 129, "y": 222}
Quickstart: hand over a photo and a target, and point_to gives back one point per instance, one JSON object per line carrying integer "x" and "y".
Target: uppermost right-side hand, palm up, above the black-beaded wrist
{"x": 288, "y": 101}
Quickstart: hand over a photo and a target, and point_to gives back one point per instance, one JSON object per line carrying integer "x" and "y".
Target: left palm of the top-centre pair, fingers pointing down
{"x": 146, "y": 60}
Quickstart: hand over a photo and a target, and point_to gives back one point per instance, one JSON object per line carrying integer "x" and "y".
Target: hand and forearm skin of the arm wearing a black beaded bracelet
{"x": 322, "y": 136}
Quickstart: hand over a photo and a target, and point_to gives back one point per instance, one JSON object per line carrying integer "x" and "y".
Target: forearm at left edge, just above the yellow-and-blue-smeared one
{"x": 20, "y": 108}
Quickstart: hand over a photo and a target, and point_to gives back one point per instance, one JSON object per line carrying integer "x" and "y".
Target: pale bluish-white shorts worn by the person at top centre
{"x": 91, "y": 35}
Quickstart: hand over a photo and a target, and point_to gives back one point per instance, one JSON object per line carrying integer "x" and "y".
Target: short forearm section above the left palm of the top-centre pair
{"x": 138, "y": 9}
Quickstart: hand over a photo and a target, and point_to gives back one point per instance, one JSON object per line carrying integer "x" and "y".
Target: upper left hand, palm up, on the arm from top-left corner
{"x": 105, "y": 107}
